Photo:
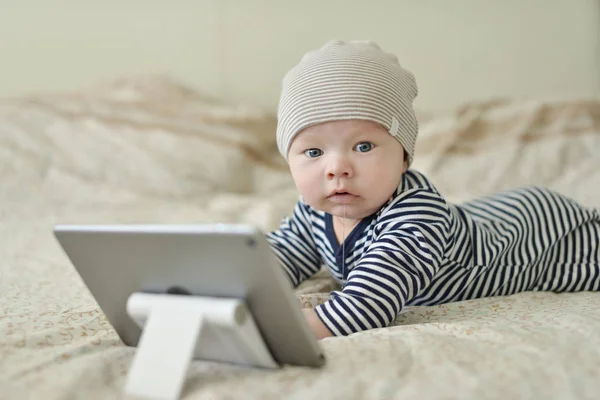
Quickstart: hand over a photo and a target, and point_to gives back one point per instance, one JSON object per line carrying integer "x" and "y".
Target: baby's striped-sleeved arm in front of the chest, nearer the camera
{"x": 410, "y": 242}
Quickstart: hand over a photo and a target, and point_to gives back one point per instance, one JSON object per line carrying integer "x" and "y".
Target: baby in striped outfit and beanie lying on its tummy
{"x": 347, "y": 128}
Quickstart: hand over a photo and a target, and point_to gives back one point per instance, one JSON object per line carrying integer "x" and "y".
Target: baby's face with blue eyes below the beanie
{"x": 353, "y": 164}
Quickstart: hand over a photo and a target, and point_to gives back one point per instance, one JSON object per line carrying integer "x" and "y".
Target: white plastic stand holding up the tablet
{"x": 179, "y": 328}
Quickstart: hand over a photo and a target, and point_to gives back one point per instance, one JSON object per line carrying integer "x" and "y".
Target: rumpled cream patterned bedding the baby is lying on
{"x": 151, "y": 150}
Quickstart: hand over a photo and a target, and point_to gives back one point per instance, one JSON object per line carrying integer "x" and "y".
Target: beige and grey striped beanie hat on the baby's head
{"x": 348, "y": 80}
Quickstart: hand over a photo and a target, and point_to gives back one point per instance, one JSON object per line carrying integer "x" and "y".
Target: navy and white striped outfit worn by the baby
{"x": 418, "y": 249}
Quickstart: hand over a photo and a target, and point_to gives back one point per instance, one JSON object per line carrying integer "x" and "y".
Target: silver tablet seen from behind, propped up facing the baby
{"x": 221, "y": 260}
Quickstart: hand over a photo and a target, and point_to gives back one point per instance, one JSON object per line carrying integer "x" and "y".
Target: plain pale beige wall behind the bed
{"x": 239, "y": 50}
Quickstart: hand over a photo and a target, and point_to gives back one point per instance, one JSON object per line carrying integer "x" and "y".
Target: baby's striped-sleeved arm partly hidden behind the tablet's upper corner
{"x": 294, "y": 246}
